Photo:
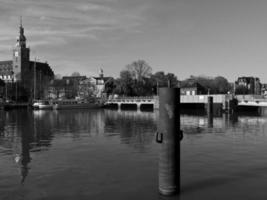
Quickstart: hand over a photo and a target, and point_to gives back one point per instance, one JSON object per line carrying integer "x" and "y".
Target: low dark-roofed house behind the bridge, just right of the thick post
{"x": 192, "y": 88}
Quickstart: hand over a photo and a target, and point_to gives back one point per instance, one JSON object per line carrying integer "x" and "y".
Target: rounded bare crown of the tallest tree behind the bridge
{"x": 139, "y": 69}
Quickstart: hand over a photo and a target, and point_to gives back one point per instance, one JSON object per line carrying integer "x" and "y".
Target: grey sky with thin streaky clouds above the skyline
{"x": 185, "y": 37}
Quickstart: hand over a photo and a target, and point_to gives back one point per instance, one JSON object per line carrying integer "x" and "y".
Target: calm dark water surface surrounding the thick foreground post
{"x": 105, "y": 154}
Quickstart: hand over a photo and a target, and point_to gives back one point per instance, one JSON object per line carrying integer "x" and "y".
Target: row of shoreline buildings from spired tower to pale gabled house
{"x": 24, "y": 80}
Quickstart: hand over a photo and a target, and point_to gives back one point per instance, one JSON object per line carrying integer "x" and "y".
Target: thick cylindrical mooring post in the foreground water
{"x": 169, "y": 136}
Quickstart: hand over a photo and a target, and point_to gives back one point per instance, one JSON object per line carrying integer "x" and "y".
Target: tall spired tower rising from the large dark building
{"x": 21, "y": 56}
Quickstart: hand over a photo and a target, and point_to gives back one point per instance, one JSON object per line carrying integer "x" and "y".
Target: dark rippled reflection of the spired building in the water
{"x": 20, "y": 134}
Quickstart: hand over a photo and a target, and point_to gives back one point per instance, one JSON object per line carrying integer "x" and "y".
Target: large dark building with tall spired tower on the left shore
{"x": 30, "y": 77}
